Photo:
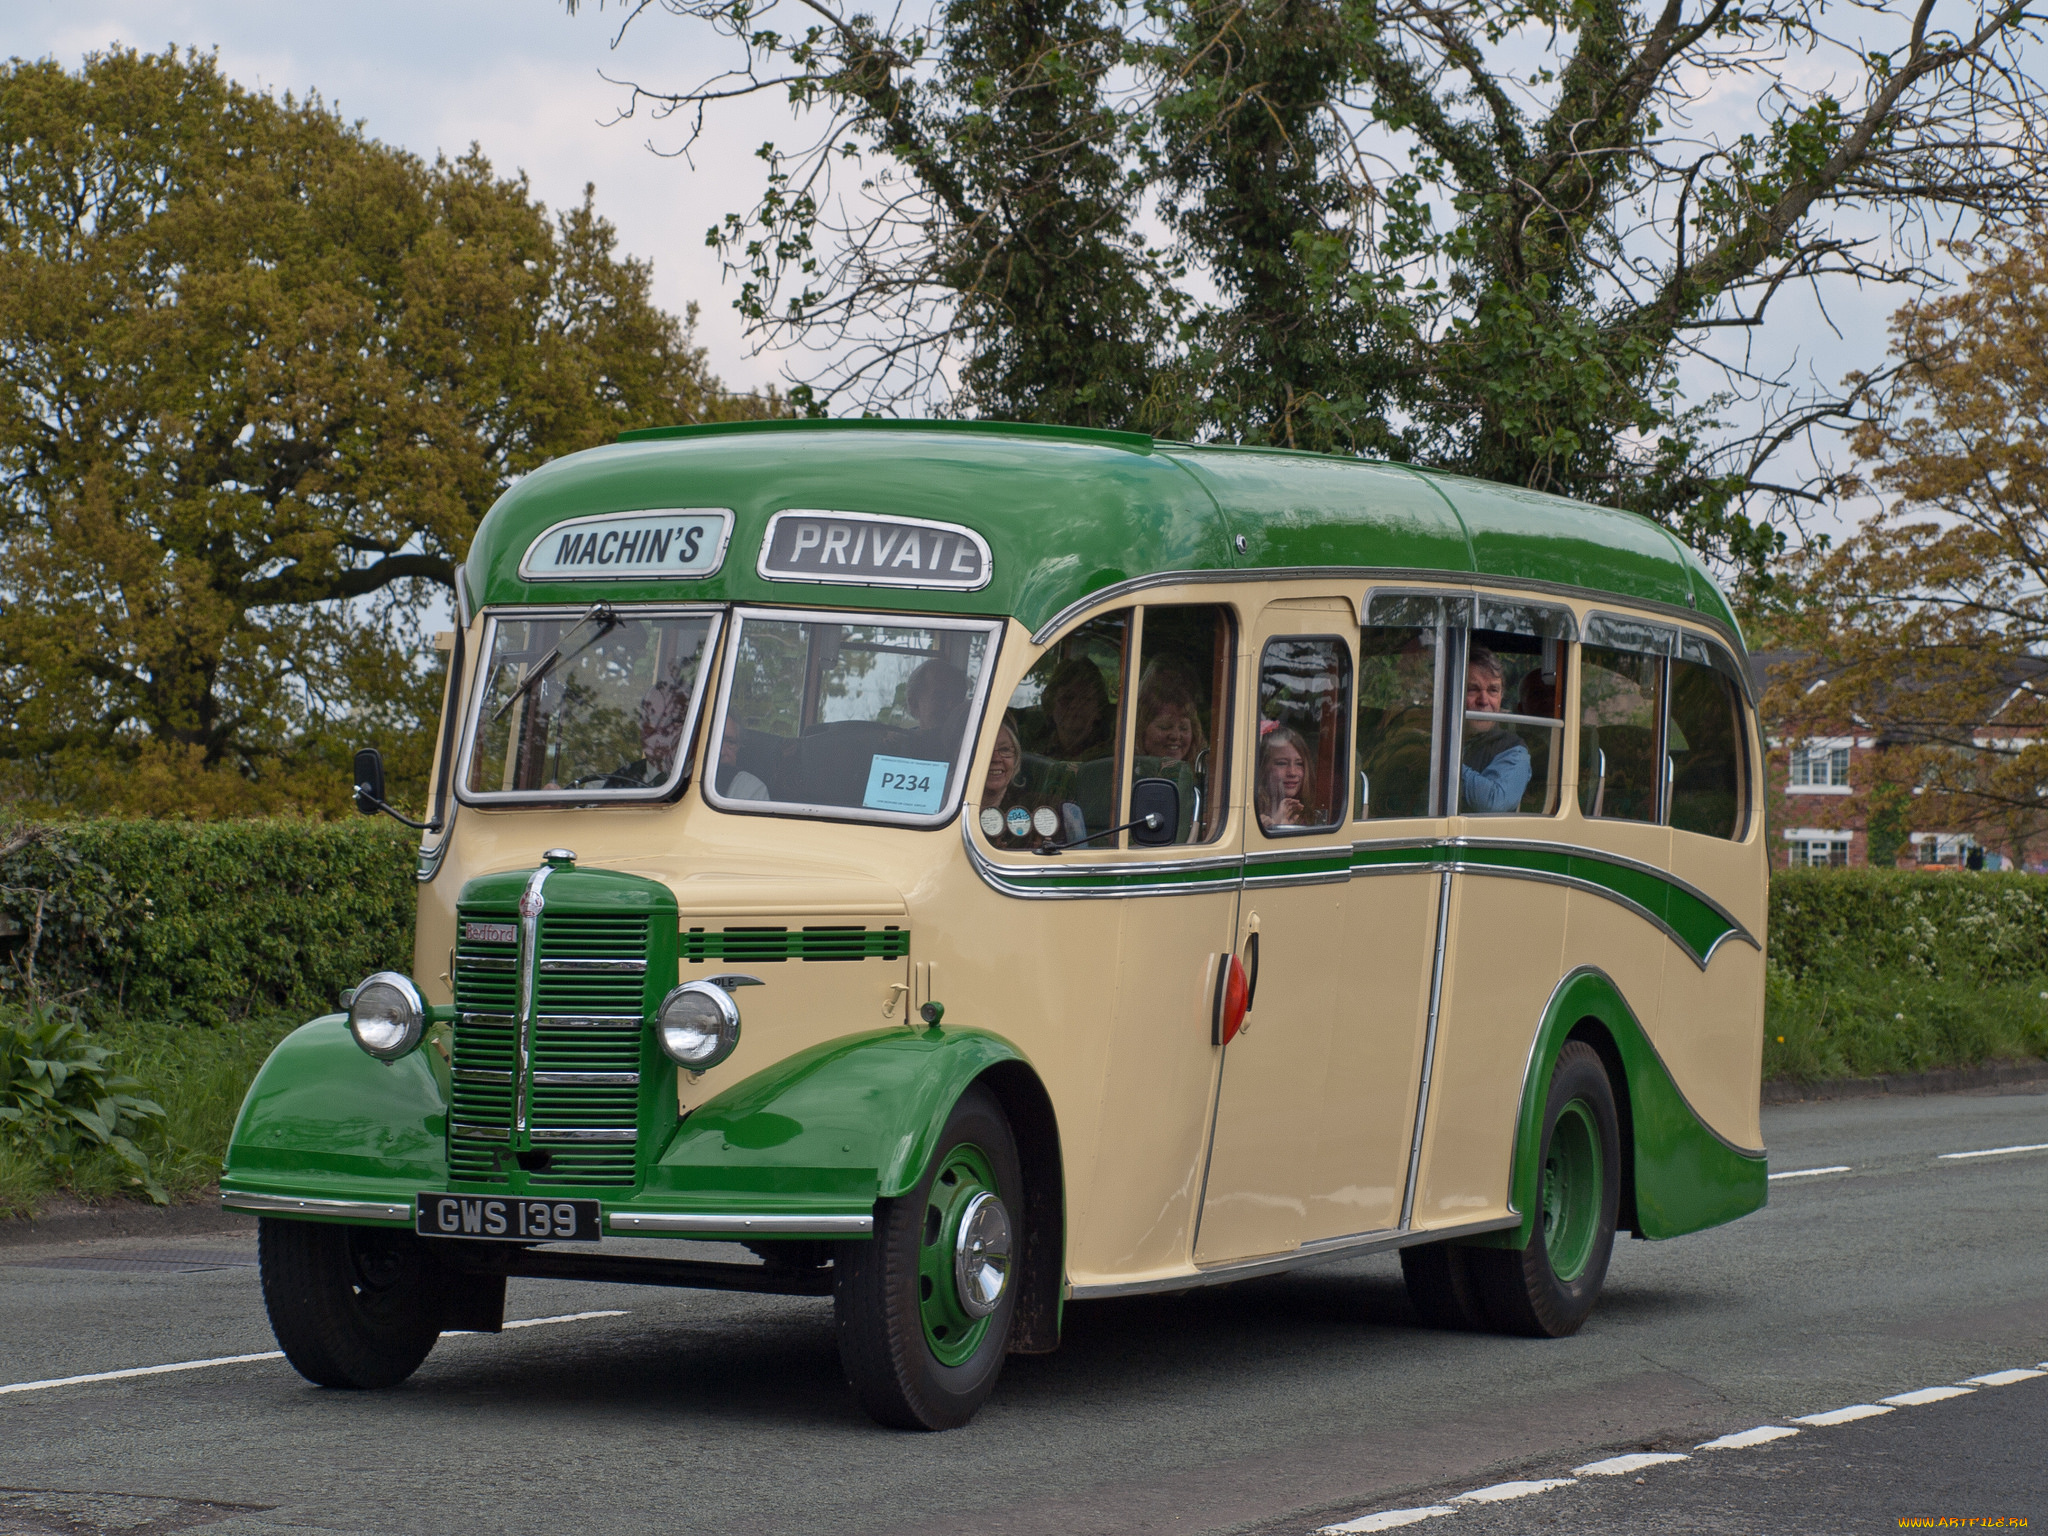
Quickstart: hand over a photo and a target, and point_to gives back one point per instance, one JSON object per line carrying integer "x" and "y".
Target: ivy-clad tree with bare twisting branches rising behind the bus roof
{"x": 1457, "y": 230}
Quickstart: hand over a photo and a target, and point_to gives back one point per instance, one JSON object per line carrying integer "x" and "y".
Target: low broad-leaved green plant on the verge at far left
{"x": 62, "y": 1097}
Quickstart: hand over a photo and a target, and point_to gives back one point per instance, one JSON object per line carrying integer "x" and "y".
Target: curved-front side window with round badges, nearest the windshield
{"x": 1056, "y": 767}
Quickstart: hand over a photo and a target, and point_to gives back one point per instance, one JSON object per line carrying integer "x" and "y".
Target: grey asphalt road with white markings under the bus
{"x": 1277, "y": 1406}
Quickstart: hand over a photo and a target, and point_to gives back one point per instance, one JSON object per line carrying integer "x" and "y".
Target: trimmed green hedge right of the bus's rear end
{"x": 1846, "y": 925}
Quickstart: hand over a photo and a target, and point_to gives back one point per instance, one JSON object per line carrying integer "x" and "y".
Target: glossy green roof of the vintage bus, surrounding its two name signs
{"x": 1072, "y": 511}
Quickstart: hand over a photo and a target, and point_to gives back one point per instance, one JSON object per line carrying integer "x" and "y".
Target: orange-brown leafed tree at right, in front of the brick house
{"x": 1930, "y": 624}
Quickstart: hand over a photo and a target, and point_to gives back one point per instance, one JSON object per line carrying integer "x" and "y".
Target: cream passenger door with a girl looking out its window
{"x": 1291, "y": 933}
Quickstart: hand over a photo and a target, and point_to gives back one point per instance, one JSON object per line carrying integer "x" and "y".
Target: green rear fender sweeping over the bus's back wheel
{"x": 1684, "y": 1175}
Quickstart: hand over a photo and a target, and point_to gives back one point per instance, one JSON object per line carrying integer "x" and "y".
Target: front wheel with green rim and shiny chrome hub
{"x": 925, "y": 1308}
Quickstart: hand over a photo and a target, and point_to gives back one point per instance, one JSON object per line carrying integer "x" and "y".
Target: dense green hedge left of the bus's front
{"x": 206, "y": 923}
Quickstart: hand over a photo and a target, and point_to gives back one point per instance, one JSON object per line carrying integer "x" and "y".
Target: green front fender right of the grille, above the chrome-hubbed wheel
{"x": 847, "y": 1123}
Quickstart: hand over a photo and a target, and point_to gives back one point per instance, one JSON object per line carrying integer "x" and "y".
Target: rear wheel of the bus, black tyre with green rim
{"x": 1523, "y": 1291}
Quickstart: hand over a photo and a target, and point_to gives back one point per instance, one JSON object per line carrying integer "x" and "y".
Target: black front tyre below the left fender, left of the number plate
{"x": 349, "y": 1306}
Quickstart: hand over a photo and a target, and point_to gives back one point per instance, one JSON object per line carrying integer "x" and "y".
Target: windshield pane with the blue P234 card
{"x": 861, "y": 720}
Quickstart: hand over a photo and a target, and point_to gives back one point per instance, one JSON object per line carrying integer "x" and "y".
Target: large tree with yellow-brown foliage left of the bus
{"x": 259, "y": 380}
